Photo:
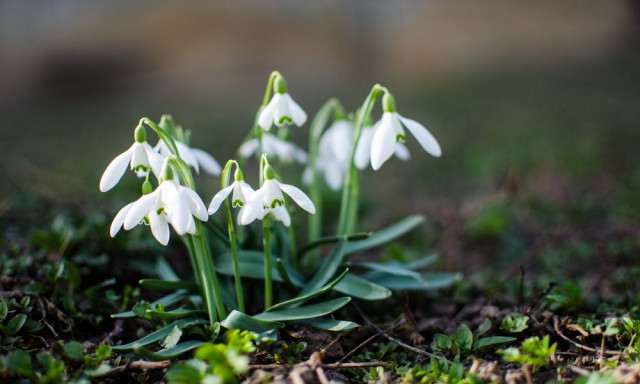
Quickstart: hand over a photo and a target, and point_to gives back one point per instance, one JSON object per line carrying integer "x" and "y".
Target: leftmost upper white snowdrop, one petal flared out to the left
{"x": 140, "y": 157}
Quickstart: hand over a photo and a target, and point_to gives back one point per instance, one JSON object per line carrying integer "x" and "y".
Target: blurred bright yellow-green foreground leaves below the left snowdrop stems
{"x": 212, "y": 363}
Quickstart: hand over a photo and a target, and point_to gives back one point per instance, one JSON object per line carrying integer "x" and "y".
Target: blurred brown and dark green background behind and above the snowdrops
{"x": 540, "y": 98}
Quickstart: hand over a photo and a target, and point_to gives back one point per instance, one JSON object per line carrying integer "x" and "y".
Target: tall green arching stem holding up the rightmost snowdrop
{"x": 350, "y": 189}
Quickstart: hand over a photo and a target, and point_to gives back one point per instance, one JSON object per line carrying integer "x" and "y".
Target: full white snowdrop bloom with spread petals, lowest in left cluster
{"x": 170, "y": 203}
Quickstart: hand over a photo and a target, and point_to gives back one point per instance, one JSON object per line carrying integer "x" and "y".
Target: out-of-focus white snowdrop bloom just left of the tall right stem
{"x": 333, "y": 154}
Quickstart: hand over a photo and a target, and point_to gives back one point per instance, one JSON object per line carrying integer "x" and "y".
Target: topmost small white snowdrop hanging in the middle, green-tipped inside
{"x": 282, "y": 109}
